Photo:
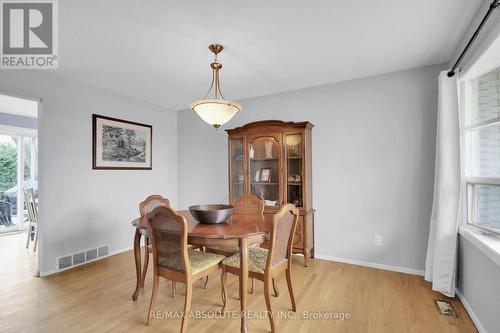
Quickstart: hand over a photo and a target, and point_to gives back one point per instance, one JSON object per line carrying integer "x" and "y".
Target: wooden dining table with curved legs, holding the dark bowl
{"x": 242, "y": 229}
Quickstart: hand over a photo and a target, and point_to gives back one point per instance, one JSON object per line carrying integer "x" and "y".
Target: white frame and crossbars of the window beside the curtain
{"x": 469, "y": 181}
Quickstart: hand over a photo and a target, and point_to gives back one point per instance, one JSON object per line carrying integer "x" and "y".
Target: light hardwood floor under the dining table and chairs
{"x": 97, "y": 298}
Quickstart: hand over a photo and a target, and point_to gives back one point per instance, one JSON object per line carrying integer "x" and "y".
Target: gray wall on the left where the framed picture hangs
{"x": 81, "y": 208}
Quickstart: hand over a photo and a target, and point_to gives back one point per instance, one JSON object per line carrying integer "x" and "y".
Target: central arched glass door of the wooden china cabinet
{"x": 264, "y": 156}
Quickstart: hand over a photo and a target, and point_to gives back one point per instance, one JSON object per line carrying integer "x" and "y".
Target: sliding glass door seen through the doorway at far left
{"x": 18, "y": 170}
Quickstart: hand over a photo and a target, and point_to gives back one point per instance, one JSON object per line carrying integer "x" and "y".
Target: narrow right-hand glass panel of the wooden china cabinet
{"x": 294, "y": 174}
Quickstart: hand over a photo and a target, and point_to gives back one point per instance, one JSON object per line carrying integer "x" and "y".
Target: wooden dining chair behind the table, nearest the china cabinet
{"x": 244, "y": 204}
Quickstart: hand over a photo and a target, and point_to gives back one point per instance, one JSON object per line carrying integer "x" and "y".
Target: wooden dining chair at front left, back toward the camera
{"x": 172, "y": 259}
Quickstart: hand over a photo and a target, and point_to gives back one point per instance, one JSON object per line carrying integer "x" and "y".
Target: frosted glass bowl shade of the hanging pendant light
{"x": 216, "y": 112}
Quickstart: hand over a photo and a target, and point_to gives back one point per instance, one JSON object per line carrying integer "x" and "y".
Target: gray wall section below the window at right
{"x": 479, "y": 282}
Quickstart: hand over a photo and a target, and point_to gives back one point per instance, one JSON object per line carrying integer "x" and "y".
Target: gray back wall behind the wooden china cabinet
{"x": 373, "y": 161}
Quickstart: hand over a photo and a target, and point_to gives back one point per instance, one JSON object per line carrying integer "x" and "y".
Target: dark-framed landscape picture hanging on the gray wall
{"x": 120, "y": 144}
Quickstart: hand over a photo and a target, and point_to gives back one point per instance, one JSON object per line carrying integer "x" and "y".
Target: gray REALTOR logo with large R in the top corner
{"x": 29, "y": 34}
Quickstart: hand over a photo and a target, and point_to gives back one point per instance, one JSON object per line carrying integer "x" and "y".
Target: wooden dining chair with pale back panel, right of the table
{"x": 265, "y": 265}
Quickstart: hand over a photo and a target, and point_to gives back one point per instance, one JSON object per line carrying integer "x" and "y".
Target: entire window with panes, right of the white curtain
{"x": 481, "y": 136}
